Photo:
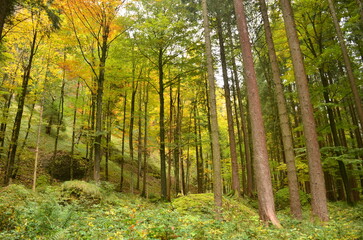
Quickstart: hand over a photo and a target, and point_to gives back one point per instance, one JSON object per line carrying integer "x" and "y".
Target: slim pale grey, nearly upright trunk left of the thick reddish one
{"x": 217, "y": 179}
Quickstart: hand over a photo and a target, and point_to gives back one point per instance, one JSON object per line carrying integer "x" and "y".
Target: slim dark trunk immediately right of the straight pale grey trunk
{"x": 227, "y": 95}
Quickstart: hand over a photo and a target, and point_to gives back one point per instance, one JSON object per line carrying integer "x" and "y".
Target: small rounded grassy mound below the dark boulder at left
{"x": 81, "y": 192}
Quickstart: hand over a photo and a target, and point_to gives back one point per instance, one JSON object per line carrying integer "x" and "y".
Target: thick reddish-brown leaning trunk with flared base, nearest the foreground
{"x": 261, "y": 165}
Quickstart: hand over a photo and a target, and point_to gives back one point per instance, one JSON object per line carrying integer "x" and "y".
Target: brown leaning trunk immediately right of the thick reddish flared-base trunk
{"x": 288, "y": 145}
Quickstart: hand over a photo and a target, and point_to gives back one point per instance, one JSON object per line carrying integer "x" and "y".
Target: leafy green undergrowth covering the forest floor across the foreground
{"x": 80, "y": 210}
